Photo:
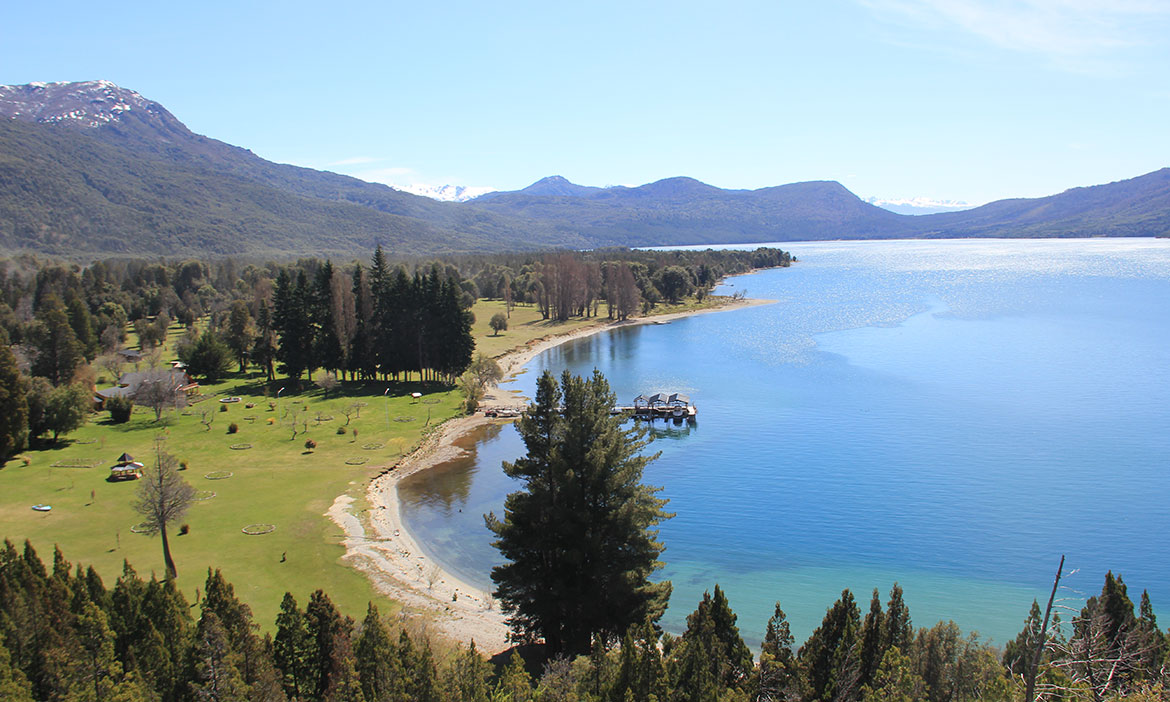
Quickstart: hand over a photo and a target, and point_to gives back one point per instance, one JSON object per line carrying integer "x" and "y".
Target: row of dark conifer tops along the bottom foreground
{"x": 66, "y": 636}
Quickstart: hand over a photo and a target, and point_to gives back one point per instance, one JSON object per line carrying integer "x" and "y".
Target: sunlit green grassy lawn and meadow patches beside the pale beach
{"x": 276, "y": 481}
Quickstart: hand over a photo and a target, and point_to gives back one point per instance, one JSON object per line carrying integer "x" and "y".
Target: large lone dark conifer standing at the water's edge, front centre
{"x": 579, "y": 539}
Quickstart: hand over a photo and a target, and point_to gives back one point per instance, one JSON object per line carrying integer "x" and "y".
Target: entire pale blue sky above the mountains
{"x": 956, "y": 100}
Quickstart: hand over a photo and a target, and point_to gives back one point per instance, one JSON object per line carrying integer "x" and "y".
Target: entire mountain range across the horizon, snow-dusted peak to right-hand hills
{"x": 93, "y": 169}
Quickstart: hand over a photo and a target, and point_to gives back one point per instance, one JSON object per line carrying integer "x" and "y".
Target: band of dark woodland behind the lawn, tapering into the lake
{"x": 388, "y": 320}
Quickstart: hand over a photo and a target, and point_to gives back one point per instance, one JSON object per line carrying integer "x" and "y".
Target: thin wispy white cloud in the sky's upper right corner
{"x": 1065, "y": 31}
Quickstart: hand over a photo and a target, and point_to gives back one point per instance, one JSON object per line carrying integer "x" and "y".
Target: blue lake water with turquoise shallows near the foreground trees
{"x": 953, "y": 416}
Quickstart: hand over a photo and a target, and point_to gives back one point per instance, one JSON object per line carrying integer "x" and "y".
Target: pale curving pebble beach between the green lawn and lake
{"x": 394, "y": 560}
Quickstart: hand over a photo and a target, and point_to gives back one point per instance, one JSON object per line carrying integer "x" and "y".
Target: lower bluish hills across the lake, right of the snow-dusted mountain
{"x": 699, "y": 214}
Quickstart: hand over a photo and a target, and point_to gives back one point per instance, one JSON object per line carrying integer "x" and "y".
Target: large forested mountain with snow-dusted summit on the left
{"x": 81, "y": 175}
